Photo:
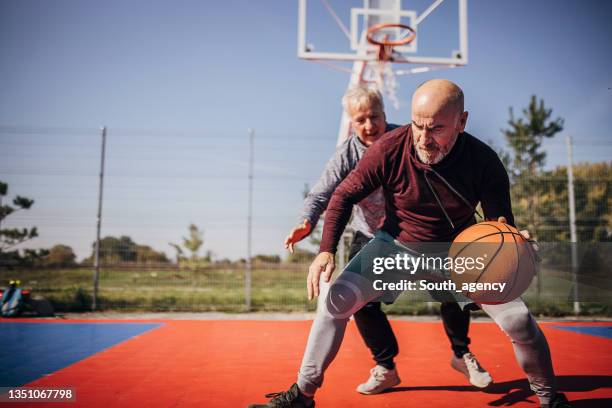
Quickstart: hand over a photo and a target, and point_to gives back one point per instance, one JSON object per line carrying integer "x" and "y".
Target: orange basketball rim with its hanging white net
{"x": 379, "y": 35}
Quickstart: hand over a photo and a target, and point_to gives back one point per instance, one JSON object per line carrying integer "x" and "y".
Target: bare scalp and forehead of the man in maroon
{"x": 437, "y": 95}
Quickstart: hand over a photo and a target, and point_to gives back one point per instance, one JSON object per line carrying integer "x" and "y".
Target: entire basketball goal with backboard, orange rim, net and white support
{"x": 336, "y": 31}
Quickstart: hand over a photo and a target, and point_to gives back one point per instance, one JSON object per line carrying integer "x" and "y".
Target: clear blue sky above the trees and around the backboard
{"x": 179, "y": 83}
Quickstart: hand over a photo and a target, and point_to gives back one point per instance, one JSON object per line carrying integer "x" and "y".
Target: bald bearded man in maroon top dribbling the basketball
{"x": 433, "y": 176}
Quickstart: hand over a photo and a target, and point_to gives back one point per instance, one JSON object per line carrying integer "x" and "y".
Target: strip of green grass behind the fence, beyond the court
{"x": 277, "y": 288}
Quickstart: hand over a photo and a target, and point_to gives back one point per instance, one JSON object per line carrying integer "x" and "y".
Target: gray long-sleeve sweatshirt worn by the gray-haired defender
{"x": 369, "y": 213}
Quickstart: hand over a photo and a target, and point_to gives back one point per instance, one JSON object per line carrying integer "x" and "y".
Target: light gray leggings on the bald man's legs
{"x": 351, "y": 291}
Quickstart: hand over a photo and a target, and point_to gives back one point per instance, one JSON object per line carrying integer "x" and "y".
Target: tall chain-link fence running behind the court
{"x": 175, "y": 210}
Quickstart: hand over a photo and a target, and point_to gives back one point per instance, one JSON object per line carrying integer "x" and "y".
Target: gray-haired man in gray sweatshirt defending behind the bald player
{"x": 368, "y": 122}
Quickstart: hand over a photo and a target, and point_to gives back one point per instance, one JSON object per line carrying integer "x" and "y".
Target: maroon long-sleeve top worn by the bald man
{"x": 412, "y": 212}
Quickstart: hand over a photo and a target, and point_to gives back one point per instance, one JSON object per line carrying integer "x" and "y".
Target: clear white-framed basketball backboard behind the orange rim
{"x": 334, "y": 30}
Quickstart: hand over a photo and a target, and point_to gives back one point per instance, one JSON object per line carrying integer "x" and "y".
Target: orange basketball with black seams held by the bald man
{"x": 497, "y": 262}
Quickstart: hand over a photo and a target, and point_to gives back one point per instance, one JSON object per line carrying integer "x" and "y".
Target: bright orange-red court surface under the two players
{"x": 221, "y": 363}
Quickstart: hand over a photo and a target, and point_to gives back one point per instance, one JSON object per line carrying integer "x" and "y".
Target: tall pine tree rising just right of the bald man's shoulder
{"x": 525, "y": 136}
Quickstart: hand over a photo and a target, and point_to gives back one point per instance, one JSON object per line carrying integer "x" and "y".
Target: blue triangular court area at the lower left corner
{"x": 32, "y": 350}
